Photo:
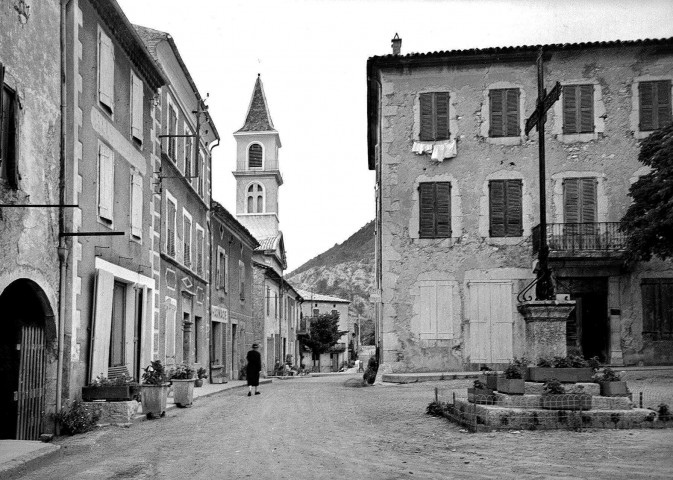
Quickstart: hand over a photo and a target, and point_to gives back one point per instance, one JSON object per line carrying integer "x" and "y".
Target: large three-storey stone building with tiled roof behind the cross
{"x": 457, "y": 200}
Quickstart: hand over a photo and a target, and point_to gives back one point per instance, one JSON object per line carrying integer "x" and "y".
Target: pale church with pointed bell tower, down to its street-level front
{"x": 258, "y": 179}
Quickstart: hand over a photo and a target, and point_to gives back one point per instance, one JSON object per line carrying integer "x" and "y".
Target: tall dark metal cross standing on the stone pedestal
{"x": 544, "y": 288}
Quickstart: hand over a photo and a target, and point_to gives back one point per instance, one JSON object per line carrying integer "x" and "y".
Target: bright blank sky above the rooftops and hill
{"x": 312, "y": 55}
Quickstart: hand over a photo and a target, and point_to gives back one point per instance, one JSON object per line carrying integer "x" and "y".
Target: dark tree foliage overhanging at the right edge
{"x": 648, "y": 222}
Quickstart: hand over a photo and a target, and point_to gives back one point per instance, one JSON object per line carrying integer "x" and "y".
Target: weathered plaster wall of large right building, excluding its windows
{"x": 610, "y": 154}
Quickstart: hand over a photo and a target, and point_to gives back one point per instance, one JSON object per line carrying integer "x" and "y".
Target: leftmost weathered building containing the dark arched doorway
{"x": 30, "y": 169}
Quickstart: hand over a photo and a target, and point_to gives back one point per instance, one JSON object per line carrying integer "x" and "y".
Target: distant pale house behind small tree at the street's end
{"x": 317, "y": 304}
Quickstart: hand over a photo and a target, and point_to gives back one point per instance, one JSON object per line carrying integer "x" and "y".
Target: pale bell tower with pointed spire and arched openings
{"x": 257, "y": 173}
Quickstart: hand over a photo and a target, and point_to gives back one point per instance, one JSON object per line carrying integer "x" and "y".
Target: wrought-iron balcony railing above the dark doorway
{"x": 581, "y": 237}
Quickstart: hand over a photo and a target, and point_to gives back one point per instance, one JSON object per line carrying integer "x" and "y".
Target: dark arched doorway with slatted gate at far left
{"x": 27, "y": 323}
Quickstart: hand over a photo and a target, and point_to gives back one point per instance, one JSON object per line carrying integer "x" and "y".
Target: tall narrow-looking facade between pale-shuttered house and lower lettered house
{"x": 181, "y": 210}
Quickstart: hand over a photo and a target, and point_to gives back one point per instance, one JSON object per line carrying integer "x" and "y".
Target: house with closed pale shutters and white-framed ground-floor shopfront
{"x": 110, "y": 295}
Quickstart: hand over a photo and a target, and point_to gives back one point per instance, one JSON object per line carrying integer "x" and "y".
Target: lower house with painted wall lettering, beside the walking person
{"x": 232, "y": 323}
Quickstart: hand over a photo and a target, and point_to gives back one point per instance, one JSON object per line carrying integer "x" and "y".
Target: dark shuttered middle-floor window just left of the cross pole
{"x": 505, "y": 208}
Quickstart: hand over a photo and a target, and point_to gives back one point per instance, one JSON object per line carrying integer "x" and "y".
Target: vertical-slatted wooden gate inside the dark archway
{"x": 31, "y": 390}
